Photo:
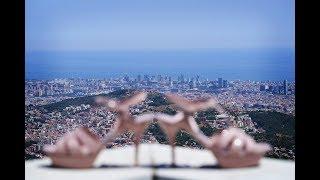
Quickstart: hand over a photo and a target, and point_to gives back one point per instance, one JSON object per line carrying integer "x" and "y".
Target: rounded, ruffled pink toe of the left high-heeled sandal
{"x": 76, "y": 149}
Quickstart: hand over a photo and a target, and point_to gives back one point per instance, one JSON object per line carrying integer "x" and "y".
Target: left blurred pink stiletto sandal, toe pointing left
{"x": 79, "y": 148}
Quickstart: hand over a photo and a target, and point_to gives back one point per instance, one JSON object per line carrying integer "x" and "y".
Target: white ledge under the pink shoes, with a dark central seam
{"x": 158, "y": 154}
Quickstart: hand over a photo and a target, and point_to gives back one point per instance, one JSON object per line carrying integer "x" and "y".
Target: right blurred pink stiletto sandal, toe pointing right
{"x": 232, "y": 147}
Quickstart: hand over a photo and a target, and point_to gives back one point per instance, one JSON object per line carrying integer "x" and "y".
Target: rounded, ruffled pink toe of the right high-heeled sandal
{"x": 233, "y": 149}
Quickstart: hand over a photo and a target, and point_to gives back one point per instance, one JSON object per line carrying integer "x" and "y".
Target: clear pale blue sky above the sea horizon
{"x": 125, "y": 25}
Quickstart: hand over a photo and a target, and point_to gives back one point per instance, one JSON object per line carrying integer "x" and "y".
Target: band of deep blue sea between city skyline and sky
{"x": 244, "y": 64}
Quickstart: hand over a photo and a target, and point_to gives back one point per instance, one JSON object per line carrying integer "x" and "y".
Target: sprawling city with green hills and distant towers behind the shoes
{"x": 54, "y": 107}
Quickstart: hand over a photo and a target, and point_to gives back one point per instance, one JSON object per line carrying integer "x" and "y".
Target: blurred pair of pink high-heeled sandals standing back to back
{"x": 232, "y": 147}
